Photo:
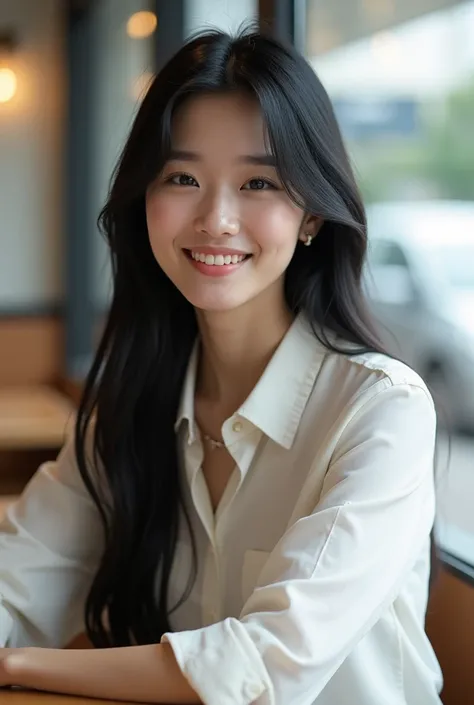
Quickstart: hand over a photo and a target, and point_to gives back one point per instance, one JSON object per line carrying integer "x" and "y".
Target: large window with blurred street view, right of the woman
{"x": 406, "y": 115}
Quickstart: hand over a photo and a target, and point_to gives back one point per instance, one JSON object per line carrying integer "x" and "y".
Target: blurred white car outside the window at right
{"x": 420, "y": 281}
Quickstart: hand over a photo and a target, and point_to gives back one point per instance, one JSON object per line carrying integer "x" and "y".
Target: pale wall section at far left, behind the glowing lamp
{"x": 31, "y": 157}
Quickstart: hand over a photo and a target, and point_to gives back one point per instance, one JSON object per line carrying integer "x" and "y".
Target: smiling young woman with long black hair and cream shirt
{"x": 244, "y": 514}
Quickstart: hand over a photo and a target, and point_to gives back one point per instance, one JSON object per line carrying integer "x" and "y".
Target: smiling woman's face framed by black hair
{"x": 220, "y": 223}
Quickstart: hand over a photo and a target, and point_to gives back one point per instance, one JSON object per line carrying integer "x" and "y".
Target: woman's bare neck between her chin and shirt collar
{"x": 236, "y": 346}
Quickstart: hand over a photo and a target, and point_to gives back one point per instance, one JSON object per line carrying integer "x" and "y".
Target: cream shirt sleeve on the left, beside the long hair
{"x": 50, "y": 544}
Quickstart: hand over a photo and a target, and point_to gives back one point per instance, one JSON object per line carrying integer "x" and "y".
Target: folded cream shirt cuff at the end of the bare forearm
{"x": 221, "y": 662}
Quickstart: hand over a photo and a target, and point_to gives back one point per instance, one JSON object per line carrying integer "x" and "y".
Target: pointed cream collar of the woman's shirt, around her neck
{"x": 278, "y": 400}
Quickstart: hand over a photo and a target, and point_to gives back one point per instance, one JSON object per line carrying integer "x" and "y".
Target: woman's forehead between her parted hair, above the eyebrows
{"x": 233, "y": 121}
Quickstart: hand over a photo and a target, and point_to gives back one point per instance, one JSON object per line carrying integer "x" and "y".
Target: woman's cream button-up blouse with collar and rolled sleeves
{"x": 312, "y": 579}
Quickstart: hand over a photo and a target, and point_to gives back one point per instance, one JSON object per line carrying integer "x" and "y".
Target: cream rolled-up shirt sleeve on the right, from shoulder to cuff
{"x": 336, "y": 570}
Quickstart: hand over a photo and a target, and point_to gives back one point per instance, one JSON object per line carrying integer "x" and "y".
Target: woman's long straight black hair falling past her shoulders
{"x": 131, "y": 396}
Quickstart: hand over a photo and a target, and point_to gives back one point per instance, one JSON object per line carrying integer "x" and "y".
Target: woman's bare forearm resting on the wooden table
{"x": 146, "y": 674}
